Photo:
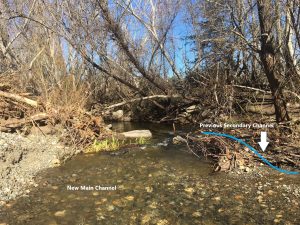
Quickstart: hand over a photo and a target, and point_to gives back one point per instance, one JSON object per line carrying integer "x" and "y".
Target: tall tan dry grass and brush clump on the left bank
{"x": 64, "y": 103}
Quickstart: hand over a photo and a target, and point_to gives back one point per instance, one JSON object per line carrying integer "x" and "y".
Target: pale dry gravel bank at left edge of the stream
{"x": 21, "y": 158}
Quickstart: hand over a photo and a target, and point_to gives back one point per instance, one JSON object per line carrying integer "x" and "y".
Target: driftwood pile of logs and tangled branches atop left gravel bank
{"x": 24, "y": 112}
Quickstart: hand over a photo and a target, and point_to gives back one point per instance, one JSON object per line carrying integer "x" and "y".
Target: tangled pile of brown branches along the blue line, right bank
{"x": 229, "y": 155}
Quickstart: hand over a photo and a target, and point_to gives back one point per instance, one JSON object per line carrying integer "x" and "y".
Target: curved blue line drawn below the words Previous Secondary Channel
{"x": 253, "y": 150}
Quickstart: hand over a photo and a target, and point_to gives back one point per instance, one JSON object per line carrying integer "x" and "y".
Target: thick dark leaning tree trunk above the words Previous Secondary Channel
{"x": 268, "y": 58}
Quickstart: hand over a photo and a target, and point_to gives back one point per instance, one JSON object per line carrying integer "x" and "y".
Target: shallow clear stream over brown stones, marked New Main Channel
{"x": 159, "y": 183}
